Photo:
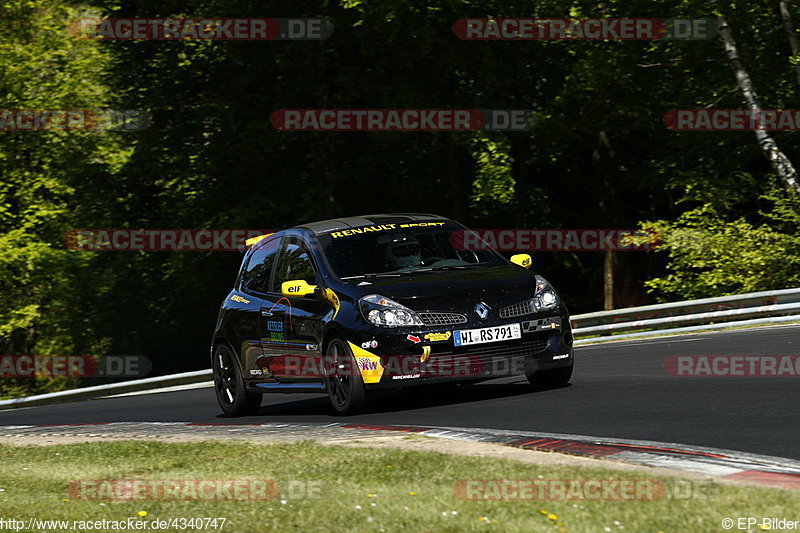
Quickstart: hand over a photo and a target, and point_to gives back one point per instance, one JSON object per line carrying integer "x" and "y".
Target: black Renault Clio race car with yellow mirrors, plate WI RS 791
{"x": 353, "y": 305}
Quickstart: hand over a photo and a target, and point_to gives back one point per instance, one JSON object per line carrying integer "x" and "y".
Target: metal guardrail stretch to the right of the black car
{"x": 685, "y": 315}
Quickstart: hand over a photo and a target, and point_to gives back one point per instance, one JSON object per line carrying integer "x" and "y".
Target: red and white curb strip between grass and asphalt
{"x": 719, "y": 463}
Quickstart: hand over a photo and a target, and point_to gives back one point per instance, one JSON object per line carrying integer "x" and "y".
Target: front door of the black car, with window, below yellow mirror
{"x": 300, "y": 318}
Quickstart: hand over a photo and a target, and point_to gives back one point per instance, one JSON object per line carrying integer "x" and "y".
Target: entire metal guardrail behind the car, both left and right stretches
{"x": 758, "y": 308}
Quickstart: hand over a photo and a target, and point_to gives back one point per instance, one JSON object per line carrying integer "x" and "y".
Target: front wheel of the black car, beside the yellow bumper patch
{"x": 343, "y": 380}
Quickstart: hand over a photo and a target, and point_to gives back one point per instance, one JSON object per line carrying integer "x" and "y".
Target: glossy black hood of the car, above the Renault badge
{"x": 453, "y": 290}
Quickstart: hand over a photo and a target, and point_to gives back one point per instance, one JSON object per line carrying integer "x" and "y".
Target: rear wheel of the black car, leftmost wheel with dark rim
{"x": 232, "y": 395}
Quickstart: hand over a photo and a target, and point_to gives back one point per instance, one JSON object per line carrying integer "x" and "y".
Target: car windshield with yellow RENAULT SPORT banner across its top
{"x": 402, "y": 248}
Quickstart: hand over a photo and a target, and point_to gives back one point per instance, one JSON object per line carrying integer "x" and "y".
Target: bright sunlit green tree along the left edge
{"x": 44, "y": 287}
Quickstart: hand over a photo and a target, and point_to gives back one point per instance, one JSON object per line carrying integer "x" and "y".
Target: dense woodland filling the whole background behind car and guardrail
{"x": 600, "y": 155}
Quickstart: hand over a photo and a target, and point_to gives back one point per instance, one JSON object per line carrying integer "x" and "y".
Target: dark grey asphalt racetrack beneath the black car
{"x": 619, "y": 389}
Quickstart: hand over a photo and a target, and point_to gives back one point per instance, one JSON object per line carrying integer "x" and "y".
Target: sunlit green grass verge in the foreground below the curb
{"x": 362, "y": 489}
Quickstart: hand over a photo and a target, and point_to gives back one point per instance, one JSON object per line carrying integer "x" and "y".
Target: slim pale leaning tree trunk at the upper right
{"x": 780, "y": 163}
